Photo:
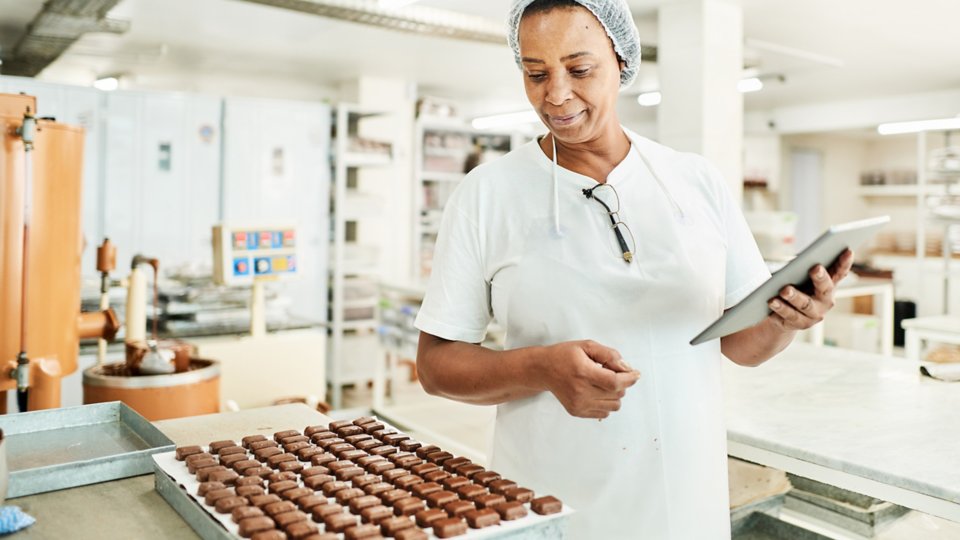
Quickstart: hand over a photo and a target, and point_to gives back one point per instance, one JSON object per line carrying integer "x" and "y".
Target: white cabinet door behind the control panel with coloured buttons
{"x": 277, "y": 171}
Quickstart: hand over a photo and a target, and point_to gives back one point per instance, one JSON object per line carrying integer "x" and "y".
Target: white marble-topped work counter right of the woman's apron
{"x": 862, "y": 422}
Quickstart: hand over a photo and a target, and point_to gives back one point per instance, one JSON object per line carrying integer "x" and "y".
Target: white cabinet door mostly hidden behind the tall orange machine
{"x": 82, "y": 107}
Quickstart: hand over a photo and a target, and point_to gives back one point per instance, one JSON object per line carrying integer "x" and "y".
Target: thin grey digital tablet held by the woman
{"x": 824, "y": 250}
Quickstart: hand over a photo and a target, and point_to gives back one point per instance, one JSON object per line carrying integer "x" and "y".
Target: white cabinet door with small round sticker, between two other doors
{"x": 161, "y": 175}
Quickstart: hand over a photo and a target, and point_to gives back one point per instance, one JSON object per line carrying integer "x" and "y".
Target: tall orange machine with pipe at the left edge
{"x": 46, "y": 322}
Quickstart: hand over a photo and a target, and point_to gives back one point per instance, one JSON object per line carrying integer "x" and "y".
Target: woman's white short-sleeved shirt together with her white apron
{"x": 656, "y": 468}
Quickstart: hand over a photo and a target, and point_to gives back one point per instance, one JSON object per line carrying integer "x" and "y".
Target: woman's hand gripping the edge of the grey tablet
{"x": 794, "y": 310}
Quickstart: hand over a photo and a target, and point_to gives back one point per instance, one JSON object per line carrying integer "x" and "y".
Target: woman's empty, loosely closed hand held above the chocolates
{"x": 588, "y": 378}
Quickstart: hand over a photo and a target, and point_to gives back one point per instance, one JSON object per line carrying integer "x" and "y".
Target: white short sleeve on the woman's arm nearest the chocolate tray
{"x": 456, "y": 306}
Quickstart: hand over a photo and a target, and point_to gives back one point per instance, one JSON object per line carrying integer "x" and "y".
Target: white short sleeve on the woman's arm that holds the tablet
{"x": 745, "y": 267}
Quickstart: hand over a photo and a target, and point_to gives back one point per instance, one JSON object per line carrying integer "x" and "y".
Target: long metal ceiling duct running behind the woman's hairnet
{"x": 421, "y": 20}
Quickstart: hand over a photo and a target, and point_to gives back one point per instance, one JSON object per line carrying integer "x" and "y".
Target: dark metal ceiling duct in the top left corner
{"x": 58, "y": 25}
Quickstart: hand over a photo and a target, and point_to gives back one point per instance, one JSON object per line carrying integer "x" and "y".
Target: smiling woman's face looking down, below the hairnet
{"x": 571, "y": 73}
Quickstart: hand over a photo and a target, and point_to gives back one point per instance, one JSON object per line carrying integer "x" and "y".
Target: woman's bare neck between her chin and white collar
{"x": 594, "y": 158}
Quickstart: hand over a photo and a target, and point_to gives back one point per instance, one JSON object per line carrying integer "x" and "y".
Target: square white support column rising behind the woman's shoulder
{"x": 700, "y": 61}
